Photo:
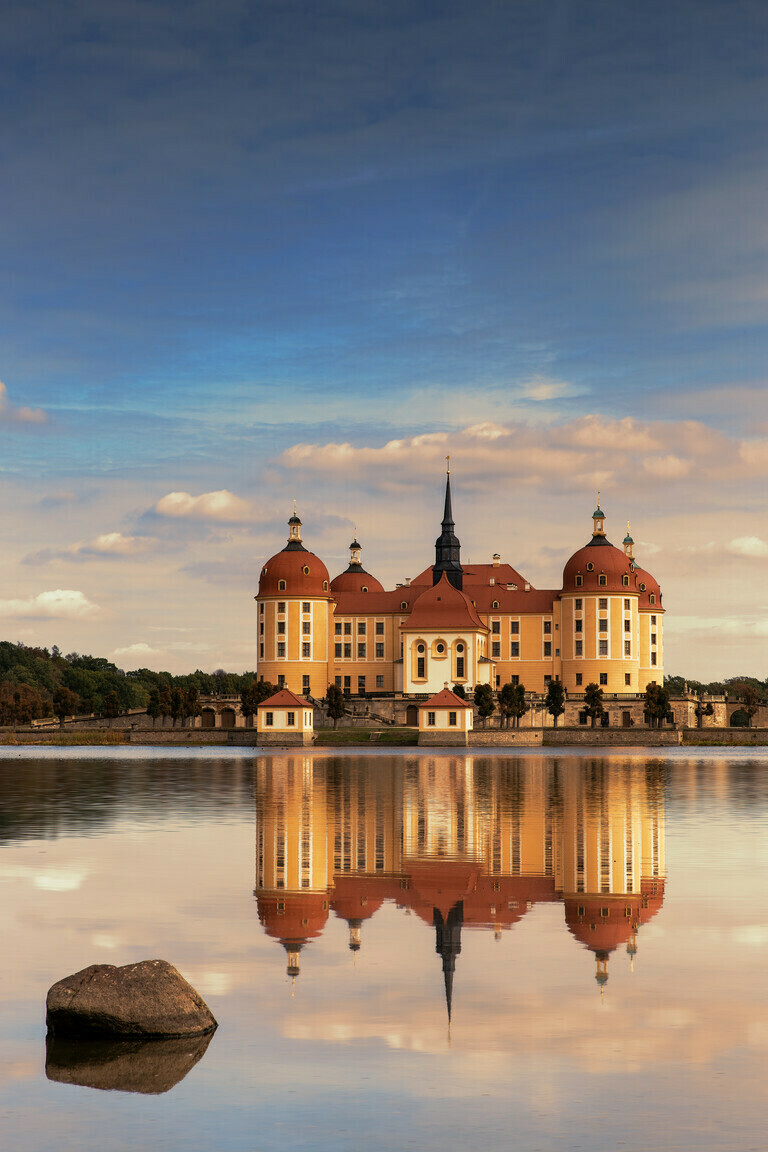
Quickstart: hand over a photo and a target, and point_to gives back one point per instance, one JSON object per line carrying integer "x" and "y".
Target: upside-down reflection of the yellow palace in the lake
{"x": 465, "y": 843}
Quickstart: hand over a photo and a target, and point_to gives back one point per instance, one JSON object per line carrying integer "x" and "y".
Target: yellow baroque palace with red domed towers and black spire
{"x": 459, "y": 624}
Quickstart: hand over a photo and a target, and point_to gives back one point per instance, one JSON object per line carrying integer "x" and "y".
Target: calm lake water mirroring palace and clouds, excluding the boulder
{"x": 434, "y": 952}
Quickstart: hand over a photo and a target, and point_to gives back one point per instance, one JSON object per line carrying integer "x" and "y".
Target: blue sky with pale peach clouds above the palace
{"x": 261, "y": 252}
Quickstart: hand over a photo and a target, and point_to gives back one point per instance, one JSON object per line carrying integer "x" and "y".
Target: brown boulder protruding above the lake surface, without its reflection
{"x": 149, "y": 999}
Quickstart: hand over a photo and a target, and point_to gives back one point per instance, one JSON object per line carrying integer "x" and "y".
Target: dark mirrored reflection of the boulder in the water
{"x": 150, "y": 1067}
